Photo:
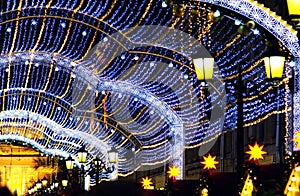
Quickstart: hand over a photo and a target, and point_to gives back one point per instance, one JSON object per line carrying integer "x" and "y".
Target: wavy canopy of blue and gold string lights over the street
{"x": 38, "y": 75}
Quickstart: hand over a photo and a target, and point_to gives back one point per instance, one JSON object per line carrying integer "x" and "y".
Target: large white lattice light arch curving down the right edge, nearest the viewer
{"x": 283, "y": 32}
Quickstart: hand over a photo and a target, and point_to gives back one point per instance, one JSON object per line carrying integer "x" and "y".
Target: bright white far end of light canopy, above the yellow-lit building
{"x": 35, "y": 121}
